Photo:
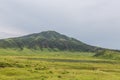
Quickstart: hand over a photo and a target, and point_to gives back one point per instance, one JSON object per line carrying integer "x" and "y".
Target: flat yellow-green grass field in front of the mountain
{"x": 37, "y": 65}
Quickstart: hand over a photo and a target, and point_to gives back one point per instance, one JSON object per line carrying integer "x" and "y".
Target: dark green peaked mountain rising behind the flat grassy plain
{"x": 50, "y": 40}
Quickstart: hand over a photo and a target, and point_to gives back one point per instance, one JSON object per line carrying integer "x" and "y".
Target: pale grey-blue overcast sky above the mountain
{"x": 96, "y": 22}
